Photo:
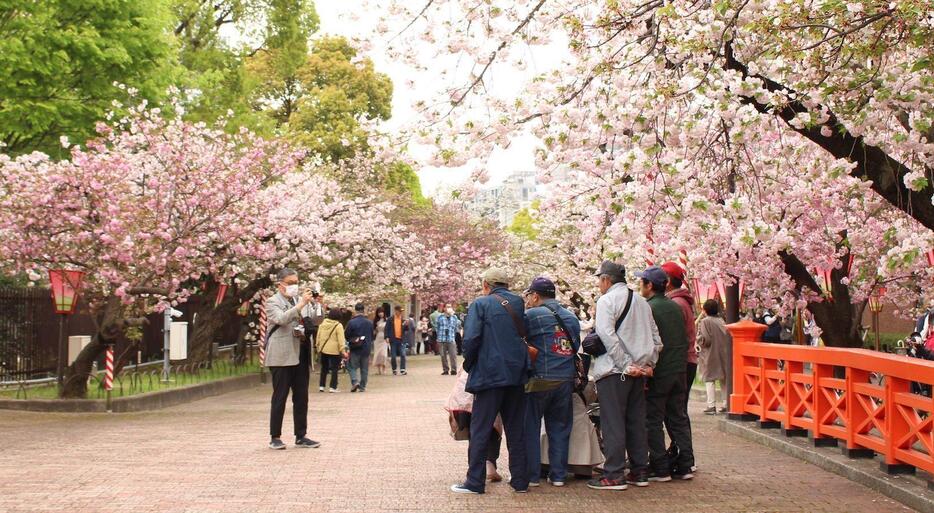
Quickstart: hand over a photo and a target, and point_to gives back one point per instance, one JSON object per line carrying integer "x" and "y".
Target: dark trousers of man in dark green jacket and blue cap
{"x": 665, "y": 403}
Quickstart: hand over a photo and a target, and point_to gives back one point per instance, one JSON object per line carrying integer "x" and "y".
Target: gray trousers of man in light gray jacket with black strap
{"x": 622, "y": 422}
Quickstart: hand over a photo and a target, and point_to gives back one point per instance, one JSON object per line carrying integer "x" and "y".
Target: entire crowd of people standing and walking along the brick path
{"x": 528, "y": 364}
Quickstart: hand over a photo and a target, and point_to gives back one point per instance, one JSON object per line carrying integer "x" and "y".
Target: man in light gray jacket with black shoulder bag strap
{"x": 625, "y": 326}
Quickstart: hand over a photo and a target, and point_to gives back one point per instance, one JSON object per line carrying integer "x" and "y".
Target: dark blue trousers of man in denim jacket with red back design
{"x": 555, "y": 407}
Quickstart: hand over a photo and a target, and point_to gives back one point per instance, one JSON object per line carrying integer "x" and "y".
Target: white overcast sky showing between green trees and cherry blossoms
{"x": 335, "y": 19}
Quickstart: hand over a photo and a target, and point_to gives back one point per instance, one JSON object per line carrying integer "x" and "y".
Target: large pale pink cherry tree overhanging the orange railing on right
{"x": 767, "y": 140}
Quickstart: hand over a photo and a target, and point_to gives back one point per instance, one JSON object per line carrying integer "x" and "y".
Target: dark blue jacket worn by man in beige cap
{"x": 494, "y": 355}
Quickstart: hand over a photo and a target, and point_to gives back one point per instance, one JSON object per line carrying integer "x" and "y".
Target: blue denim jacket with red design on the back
{"x": 556, "y": 349}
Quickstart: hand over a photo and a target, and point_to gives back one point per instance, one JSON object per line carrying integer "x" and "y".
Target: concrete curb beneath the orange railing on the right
{"x": 909, "y": 490}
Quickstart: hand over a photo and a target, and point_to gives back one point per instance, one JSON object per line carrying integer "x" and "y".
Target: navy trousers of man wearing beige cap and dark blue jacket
{"x": 509, "y": 403}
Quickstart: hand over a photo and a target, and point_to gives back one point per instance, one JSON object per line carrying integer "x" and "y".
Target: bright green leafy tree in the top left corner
{"x": 60, "y": 60}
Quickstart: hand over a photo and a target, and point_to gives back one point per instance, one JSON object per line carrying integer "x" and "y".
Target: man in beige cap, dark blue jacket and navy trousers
{"x": 497, "y": 360}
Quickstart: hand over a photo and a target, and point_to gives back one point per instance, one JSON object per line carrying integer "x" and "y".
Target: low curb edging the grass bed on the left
{"x": 142, "y": 402}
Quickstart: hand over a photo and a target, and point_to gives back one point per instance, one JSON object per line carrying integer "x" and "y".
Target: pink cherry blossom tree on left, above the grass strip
{"x": 147, "y": 210}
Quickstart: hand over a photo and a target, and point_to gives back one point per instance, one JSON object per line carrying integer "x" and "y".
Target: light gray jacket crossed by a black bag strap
{"x": 636, "y": 342}
